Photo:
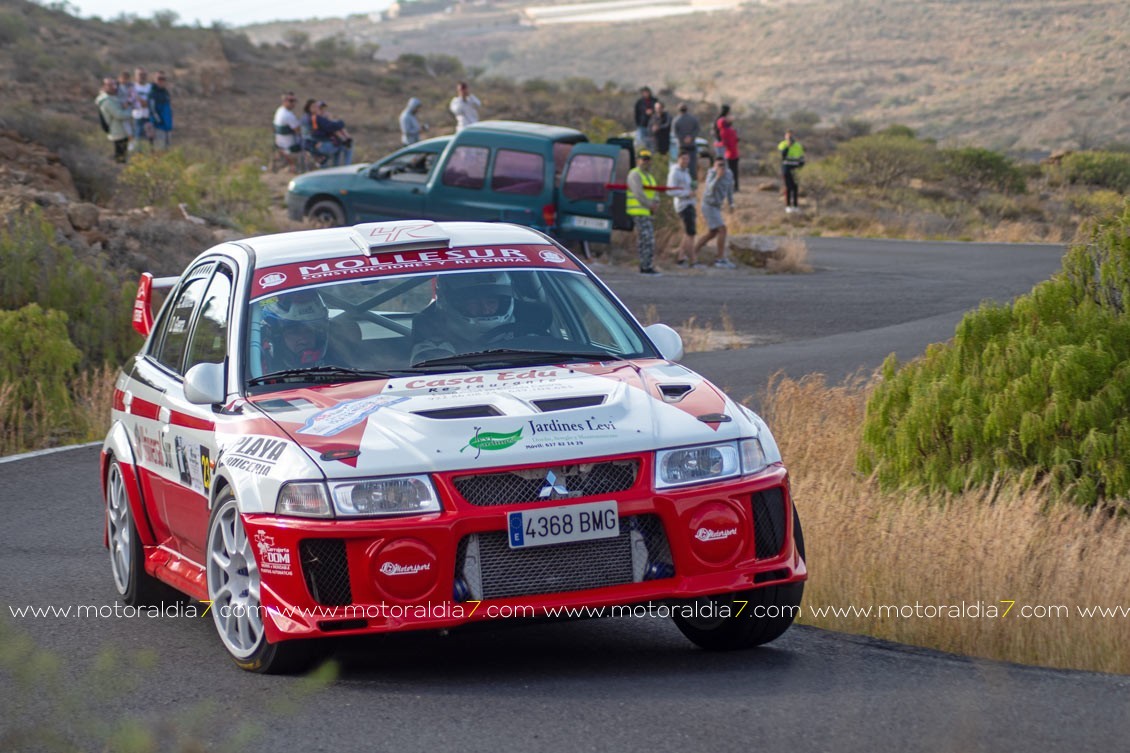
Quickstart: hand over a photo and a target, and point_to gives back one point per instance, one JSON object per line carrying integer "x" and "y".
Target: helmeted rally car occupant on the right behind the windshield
{"x": 473, "y": 311}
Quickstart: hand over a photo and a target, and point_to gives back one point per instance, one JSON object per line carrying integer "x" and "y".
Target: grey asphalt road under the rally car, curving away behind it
{"x": 631, "y": 685}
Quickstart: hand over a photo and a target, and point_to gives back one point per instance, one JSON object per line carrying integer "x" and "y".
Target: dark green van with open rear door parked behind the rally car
{"x": 544, "y": 177}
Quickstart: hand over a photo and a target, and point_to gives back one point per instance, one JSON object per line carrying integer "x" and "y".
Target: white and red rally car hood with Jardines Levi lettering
{"x": 506, "y": 418}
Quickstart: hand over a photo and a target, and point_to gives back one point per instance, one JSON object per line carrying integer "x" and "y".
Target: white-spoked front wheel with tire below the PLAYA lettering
{"x": 234, "y": 592}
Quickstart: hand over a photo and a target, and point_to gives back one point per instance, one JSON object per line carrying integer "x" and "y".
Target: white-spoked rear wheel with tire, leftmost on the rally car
{"x": 127, "y": 557}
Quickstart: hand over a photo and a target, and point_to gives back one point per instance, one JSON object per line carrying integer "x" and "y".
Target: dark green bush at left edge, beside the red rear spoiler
{"x": 95, "y": 300}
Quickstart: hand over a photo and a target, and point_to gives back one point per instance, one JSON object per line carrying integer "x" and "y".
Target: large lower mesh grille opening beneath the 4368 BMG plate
{"x": 486, "y": 568}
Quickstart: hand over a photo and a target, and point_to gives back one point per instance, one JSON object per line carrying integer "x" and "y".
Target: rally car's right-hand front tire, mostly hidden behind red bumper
{"x": 768, "y": 613}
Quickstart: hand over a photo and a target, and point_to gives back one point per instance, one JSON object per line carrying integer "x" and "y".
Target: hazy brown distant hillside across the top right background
{"x": 1024, "y": 76}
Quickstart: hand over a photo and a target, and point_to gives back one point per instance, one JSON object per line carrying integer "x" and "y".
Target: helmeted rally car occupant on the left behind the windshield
{"x": 297, "y": 332}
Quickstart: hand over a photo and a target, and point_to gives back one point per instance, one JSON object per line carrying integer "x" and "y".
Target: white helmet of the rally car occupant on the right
{"x": 476, "y": 304}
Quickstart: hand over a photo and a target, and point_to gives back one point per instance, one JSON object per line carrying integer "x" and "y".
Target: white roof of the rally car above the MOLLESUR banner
{"x": 380, "y": 238}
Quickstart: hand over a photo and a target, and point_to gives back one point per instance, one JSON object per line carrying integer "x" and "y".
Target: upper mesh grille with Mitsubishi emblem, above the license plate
{"x": 531, "y": 484}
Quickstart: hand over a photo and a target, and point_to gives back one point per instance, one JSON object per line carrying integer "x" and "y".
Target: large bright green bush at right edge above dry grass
{"x": 1038, "y": 390}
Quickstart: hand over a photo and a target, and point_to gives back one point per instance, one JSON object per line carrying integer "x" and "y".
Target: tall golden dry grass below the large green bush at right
{"x": 989, "y": 548}
